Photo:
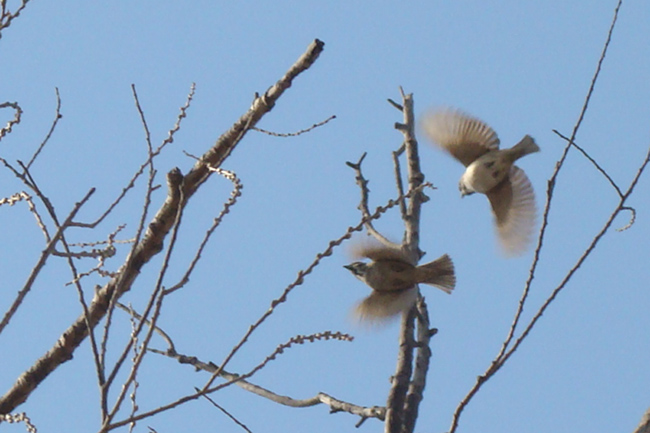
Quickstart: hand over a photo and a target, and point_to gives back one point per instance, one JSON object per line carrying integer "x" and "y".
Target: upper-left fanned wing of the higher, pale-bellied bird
{"x": 460, "y": 134}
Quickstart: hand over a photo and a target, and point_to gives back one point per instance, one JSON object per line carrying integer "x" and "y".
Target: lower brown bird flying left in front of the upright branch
{"x": 394, "y": 279}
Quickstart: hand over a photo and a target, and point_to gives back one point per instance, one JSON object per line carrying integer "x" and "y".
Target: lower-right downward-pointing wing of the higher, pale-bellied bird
{"x": 513, "y": 205}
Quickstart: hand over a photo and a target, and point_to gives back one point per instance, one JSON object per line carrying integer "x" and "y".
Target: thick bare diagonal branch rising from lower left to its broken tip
{"x": 152, "y": 242}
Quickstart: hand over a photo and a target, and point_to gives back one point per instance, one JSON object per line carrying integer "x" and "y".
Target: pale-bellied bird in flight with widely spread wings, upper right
{"x": 490, "y": 171}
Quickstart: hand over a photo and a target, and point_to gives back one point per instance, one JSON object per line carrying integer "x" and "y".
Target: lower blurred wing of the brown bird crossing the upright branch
{"x": 381, "y": 306}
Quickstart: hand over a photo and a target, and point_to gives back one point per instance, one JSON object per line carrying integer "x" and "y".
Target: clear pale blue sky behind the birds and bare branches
{"x": 523, "y": 67}
